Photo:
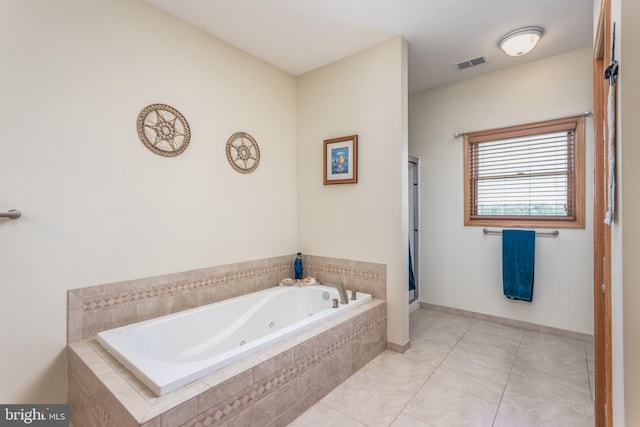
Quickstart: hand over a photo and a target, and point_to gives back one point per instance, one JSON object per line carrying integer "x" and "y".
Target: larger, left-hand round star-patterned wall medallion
{"x": 163, "y": 130}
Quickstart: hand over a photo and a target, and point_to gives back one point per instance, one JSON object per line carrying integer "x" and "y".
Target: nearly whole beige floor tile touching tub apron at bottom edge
{"x": 369, "y": 401}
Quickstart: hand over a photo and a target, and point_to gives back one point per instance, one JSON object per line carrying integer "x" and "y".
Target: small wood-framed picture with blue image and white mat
{"x": 341, "y": 160}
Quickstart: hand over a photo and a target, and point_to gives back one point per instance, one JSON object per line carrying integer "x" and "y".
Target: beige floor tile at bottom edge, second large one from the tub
{"x": 440, "y": 405}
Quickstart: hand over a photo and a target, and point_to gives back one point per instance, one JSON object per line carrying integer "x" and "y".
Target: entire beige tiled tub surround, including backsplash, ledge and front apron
{"x": 271, "y": 387}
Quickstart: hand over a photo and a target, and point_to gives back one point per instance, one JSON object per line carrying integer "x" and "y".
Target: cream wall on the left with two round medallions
{"x": 97, "y": 205}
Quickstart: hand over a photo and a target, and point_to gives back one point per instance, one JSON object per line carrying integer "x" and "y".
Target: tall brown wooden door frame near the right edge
{"x": 601, "y": 231}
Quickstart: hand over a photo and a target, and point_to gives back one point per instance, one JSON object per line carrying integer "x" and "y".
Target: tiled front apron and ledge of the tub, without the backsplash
{"x": 270, "y": 388}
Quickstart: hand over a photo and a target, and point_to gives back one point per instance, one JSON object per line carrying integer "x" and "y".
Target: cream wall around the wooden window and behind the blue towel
{"x": 460, "y": 266}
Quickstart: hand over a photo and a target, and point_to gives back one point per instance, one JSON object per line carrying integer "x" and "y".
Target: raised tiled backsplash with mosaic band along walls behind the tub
{"x": 98, "y": 308}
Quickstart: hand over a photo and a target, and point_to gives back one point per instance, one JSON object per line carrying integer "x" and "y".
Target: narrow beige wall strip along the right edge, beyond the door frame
{"x": 626, "y": 337}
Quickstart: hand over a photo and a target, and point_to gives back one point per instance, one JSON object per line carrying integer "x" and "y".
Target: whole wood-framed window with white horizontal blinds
{"x": 528, "y": 176}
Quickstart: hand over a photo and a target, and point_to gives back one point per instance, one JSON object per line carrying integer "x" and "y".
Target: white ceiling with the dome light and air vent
{"x": 301, "y": 35}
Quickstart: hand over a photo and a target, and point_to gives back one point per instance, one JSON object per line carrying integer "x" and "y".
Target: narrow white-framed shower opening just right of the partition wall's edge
{"x": 414, "y": 240}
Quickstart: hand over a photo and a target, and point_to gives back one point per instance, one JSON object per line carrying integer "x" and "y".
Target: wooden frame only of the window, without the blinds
{"x": 577, "y": 221}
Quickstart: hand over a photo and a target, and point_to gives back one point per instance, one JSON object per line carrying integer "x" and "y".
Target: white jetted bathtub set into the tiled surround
{"x": 168, "y": 352}
